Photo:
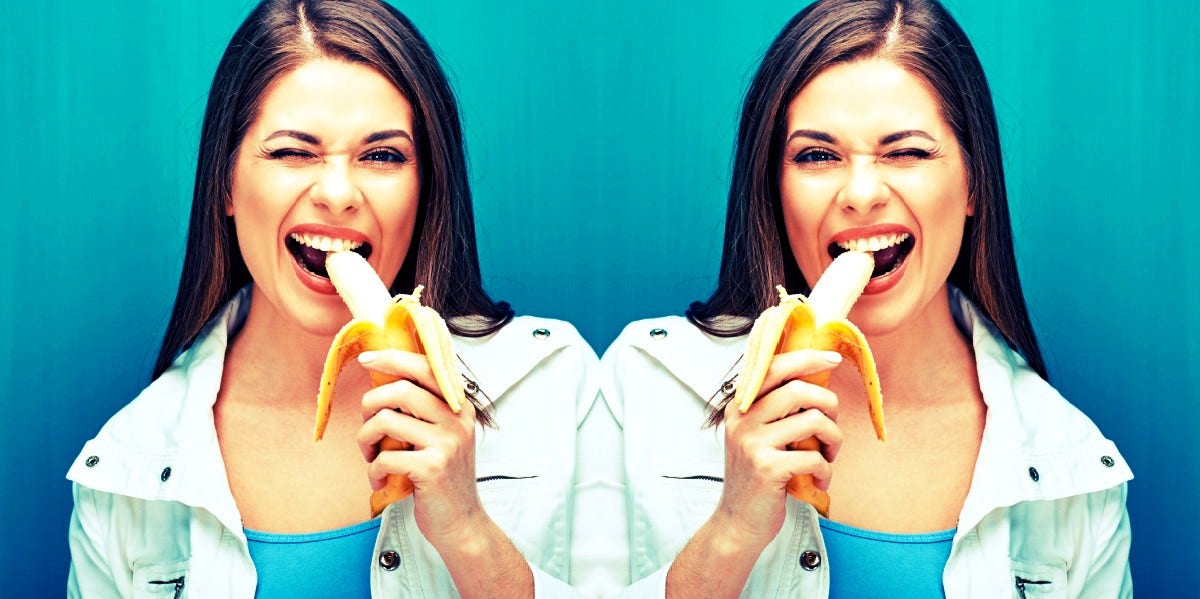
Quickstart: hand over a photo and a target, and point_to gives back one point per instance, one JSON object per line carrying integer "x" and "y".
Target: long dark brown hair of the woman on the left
{"x": 275, "y": 39}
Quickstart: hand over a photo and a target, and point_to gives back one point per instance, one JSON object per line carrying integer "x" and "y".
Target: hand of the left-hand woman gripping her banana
{"x": 442, "y": 462}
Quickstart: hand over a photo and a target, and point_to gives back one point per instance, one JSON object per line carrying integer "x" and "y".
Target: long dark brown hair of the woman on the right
{"x": 921, "y": 37}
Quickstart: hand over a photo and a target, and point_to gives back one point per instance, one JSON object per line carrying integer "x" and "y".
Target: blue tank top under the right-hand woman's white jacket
{"x": 869, "y": 564}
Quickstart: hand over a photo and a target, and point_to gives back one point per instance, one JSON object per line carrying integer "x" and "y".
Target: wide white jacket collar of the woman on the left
{"x": 164, "y": 446}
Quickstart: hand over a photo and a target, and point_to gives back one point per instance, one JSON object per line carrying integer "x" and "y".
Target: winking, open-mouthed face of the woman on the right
{"x": 871, "y": 164}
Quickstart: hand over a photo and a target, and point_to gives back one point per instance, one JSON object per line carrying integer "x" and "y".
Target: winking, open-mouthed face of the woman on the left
{"x": 329, "y": 164}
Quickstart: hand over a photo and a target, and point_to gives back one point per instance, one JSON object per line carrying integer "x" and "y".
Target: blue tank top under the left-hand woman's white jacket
{"x": 329, "y": 564}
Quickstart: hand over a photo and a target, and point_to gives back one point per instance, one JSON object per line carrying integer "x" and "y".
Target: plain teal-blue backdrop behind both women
{"x": 601, "y": 136}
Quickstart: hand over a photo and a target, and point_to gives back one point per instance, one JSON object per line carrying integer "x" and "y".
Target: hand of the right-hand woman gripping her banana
{"x": 758, "y": 463}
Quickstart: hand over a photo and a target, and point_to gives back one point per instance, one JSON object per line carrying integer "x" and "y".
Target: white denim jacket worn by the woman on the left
{"x": 154, "y": 511}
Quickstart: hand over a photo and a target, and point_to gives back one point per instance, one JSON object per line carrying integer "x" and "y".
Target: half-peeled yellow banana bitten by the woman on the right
{"x": 819, "y": 324}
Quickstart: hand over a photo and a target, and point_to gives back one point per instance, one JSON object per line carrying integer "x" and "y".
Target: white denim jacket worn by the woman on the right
{"x": 1047, "y": 504}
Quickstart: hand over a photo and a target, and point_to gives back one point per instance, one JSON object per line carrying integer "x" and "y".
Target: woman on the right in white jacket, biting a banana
{"x": 869, "y": 125}
